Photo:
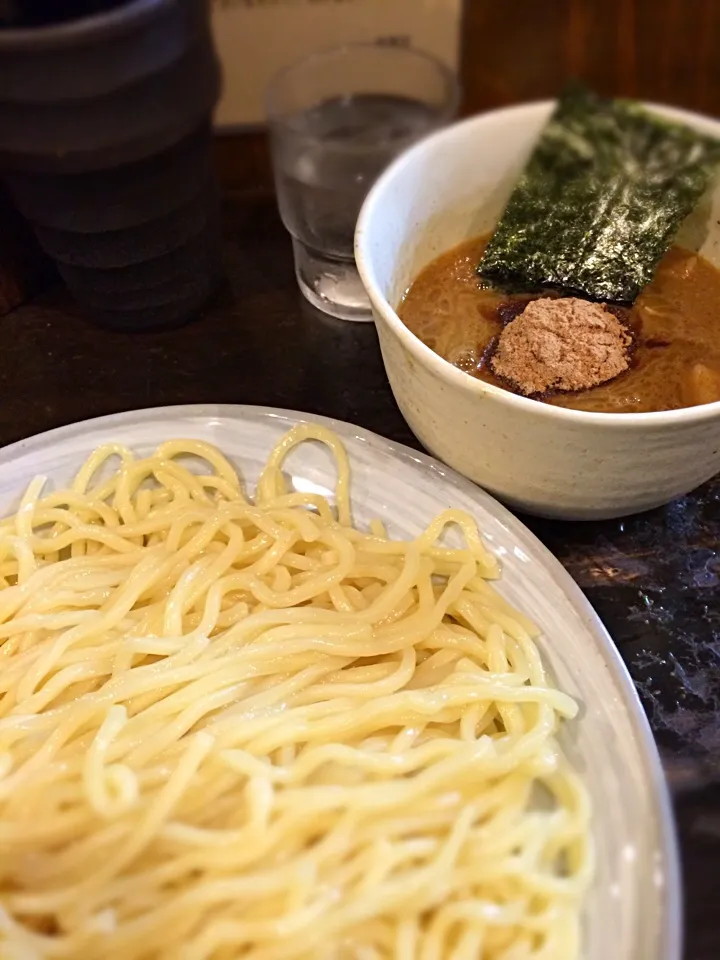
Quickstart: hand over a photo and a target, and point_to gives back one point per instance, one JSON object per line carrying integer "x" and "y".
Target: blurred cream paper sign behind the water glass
{"x": 256, "y": 38}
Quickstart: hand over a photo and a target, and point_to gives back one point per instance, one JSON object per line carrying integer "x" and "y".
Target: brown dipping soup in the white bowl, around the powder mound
{"x": 676, "y": 322}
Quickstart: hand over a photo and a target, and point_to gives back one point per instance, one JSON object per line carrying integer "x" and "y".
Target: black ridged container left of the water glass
{"x": 105, "y": 149}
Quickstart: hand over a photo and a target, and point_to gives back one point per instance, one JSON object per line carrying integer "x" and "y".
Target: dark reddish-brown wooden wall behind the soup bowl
{"x": 663, "y": 50}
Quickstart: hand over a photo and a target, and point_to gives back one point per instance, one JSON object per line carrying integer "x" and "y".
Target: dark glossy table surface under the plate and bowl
{"x": 654, "y": 579}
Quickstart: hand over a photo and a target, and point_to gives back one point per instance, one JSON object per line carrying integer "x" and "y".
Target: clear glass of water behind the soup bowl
{"x": 337, "y": 119}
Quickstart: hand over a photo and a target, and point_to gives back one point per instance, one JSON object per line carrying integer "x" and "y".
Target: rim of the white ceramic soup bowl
{"x": 371, "y": 211}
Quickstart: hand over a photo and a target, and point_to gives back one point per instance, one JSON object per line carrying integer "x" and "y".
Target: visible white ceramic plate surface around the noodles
{"x": 634, "y": 911}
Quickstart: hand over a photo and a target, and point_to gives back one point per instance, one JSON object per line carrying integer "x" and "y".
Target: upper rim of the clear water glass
{"x": 451, "y": 79}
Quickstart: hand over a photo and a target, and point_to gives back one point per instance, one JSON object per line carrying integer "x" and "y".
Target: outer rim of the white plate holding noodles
{"x": 672, "y": 899}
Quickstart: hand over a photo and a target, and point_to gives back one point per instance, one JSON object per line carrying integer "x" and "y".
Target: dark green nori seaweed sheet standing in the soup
{"x": 600, "y": 200}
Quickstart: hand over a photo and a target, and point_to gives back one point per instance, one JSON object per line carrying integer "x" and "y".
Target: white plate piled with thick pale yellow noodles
{"x": 274, "y": 687}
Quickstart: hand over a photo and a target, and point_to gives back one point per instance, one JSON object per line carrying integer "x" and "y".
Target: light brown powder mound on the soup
{"x": 561, "y": 344}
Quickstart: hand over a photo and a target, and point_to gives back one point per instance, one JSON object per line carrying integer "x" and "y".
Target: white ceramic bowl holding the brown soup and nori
{"x": 543, "y": 459}
